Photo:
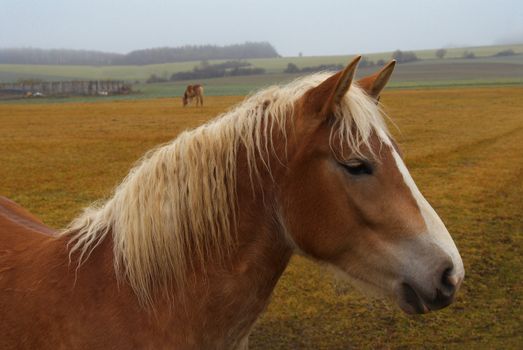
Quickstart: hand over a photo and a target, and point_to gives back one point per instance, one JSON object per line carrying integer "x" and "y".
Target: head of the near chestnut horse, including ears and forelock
{"x": 348, "y": 199}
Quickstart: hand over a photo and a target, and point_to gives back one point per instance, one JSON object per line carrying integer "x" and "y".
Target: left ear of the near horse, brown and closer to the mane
{"x": 324, "y": 97}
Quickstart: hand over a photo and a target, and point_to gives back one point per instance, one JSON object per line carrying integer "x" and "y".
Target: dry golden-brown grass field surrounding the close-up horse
{"x": 464, "y": 148}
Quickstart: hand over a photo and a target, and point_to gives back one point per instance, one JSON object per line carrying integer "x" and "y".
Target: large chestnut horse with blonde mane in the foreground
{"x": 186, "y": 252}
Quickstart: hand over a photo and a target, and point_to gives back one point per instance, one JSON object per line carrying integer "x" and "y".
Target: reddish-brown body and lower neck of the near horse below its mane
{"x": 47, "y": 304}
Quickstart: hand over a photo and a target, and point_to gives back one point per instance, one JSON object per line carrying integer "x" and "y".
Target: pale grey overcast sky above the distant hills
{"x": 323, "y": 27}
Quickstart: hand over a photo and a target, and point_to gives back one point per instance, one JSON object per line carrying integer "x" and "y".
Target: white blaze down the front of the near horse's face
{"x": 437, "y": 233}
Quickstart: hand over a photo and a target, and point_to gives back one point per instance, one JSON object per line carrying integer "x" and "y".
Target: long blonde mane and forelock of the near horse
{"x": 176, "y": 207}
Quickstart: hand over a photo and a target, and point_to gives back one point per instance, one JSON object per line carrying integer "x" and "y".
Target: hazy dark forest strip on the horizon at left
{"x": 139, "y": 57}
